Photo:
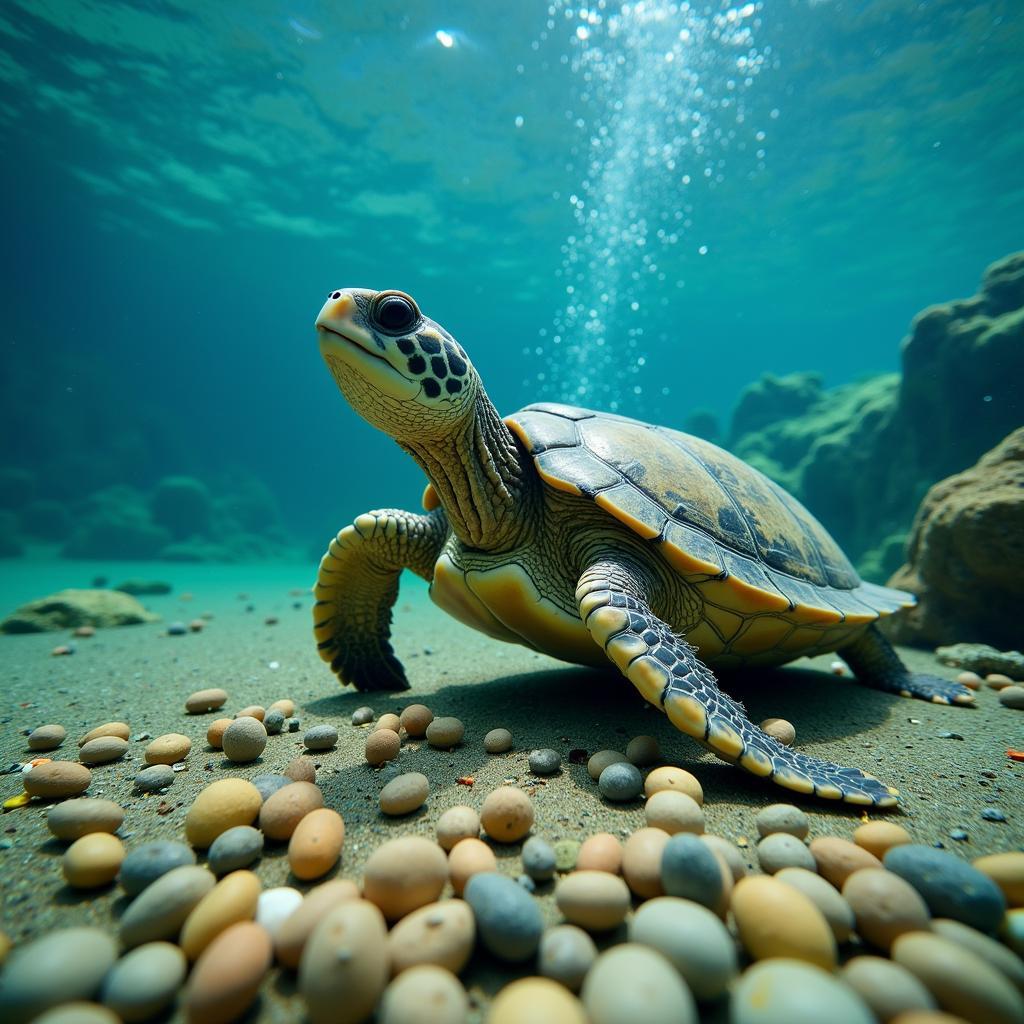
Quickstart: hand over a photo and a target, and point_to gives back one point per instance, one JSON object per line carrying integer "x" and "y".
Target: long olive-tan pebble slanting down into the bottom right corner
{"x": 962, "y": 983}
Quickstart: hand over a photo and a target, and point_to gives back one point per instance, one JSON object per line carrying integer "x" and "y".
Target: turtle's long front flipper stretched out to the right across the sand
{"x": 666, "y": 670}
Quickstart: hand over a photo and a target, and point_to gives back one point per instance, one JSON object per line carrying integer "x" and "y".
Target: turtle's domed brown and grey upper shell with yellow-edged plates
{"x": 712, "y": 515}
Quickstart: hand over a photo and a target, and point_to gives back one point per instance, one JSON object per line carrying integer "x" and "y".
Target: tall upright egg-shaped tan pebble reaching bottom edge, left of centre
{"x": 345, "y": 967}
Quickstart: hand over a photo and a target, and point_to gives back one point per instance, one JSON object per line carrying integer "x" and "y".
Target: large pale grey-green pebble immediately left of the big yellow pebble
{"x": 694, "y": 940}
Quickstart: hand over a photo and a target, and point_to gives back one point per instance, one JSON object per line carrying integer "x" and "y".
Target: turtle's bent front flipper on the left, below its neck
{"x": 357, "y": 588}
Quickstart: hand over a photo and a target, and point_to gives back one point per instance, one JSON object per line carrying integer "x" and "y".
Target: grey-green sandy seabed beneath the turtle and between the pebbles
{"x": 142, "y": 676}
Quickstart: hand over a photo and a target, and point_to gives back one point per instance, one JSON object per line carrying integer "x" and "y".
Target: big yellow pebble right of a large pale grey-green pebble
{"x": 776, "y": 920}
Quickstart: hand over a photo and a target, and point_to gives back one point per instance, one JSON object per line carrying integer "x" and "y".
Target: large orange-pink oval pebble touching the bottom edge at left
{"x": 228, "y": 975}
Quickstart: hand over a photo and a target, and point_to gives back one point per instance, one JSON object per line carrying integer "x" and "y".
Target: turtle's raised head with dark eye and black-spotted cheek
{"x": 399, "y": 370}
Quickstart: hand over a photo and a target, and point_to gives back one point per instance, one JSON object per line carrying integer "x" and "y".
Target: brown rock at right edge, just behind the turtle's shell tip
{"x": 966, "y": 554}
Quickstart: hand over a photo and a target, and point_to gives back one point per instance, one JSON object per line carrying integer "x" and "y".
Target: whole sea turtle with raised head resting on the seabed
{"x": 595, "y": 539}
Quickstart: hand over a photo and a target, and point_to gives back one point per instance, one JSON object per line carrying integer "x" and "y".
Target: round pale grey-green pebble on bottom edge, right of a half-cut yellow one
{"x": 631, "y": 983}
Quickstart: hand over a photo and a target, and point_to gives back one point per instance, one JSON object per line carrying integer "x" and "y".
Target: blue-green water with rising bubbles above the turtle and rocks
{"x": 642, "y": 207}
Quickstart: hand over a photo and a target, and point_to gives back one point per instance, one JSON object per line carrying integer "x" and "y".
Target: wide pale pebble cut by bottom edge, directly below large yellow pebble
{"x": 789, "y": 992}
